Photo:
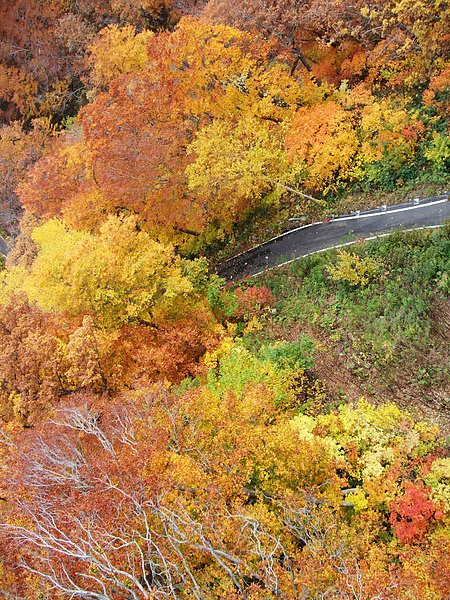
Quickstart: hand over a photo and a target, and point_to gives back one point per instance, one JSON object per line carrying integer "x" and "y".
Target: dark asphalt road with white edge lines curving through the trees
{"x": 346, "y": 229}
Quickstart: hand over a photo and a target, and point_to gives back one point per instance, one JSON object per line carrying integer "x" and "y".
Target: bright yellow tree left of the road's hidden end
{"x": 120, "y": 275}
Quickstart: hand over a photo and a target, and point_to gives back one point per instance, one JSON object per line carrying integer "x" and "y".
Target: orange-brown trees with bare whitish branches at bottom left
{"x": 88, "y": 518}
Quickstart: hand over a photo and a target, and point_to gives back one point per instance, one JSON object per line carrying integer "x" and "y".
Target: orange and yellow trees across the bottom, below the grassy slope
{"x": 214, "y": 492}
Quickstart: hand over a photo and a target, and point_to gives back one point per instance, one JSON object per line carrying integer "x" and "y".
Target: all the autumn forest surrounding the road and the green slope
{"x": 151, "y": 445}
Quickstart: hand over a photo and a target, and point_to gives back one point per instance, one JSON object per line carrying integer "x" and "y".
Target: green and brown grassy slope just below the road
{"x": 389, "y": 339}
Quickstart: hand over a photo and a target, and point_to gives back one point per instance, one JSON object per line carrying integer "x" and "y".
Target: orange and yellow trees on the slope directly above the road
{"x": 195, "y": 128}
